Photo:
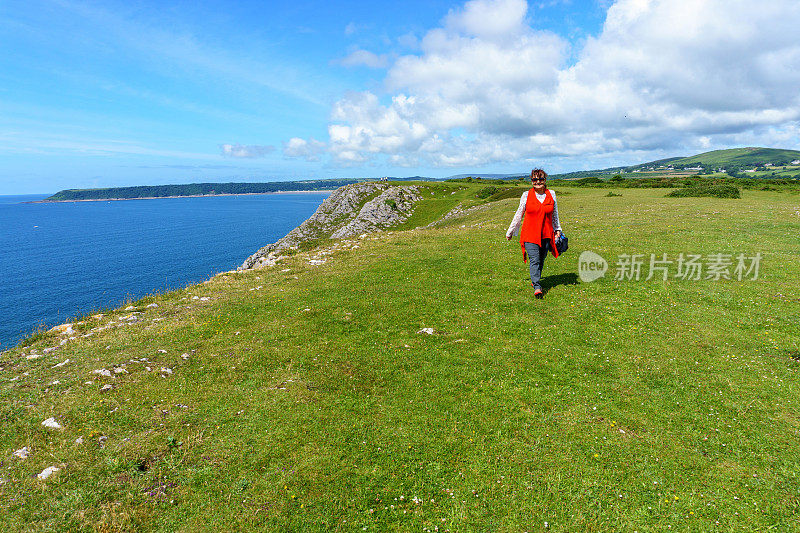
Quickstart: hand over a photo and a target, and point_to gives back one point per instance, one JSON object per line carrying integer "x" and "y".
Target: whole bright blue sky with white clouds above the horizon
{"x": 97, "y": 94}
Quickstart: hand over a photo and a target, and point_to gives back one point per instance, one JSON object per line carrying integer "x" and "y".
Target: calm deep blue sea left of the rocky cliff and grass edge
{"x": 61, "y": 260}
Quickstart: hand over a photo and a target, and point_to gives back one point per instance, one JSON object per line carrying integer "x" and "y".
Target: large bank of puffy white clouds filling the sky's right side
{"x": 662, "y": 74}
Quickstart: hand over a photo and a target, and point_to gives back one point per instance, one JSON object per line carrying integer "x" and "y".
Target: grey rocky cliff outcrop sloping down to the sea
{"x": 351, "y": 210}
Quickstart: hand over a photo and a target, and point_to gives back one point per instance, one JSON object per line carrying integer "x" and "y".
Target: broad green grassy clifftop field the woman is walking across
{"x": 304, "y": 398}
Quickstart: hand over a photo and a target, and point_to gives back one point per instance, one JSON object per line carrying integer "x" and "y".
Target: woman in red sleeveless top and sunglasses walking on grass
{"x": 540, "y": 228}
